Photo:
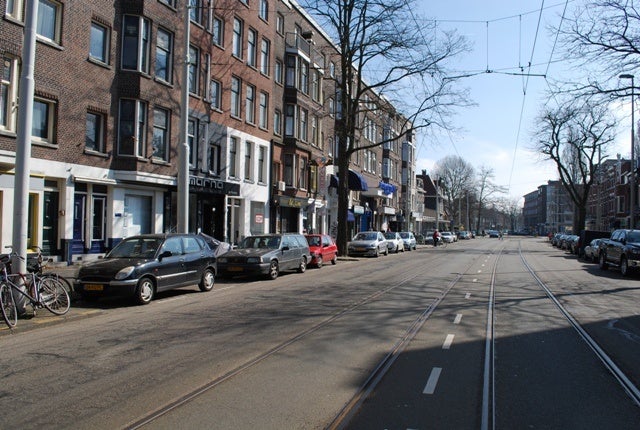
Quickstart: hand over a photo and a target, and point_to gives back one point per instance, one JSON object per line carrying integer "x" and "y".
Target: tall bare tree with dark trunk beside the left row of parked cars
{"x": 384, "y": 49}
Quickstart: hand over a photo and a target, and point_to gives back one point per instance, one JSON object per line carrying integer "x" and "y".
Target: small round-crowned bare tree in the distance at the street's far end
{"x": 456, "y": 178}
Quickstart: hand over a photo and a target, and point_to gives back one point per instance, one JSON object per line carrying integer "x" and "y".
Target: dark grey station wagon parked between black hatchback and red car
{"x": 267, "y": 255}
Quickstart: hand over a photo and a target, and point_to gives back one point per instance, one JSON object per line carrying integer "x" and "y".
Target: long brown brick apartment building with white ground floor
{"x": 106, "y": 124}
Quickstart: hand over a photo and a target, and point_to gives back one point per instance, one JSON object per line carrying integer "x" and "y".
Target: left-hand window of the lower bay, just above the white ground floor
{"x": 132, "y": 128}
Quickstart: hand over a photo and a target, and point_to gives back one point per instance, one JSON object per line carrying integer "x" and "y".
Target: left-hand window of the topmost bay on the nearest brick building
{"x": 135, "y": 44}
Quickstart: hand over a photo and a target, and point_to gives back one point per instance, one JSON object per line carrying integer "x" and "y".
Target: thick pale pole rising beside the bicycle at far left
{"x": 23, "y": 141}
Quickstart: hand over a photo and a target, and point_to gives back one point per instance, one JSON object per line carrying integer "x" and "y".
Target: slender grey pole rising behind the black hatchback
{"x": 183, "y": 150}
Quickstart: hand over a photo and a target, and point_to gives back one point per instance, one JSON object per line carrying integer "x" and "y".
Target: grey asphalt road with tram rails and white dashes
{"x": 396, "y": 342}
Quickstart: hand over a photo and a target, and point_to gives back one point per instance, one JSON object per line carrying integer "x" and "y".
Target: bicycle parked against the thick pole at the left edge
{"x": 45, "y": 291}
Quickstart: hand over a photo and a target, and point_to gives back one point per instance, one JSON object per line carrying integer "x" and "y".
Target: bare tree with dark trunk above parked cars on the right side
{"x": 575, "y": 136}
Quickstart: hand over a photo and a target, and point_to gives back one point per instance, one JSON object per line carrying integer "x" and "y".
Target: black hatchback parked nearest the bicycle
{"x": 140, "y": 266}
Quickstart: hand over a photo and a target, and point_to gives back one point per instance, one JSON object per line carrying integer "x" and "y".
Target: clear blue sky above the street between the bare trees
{"x": 498, "y": 131}
